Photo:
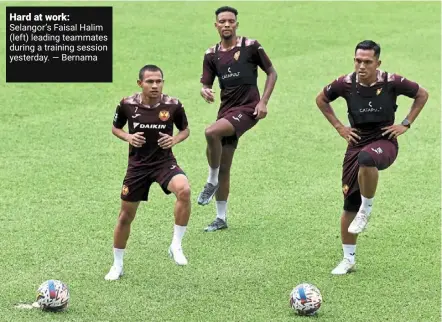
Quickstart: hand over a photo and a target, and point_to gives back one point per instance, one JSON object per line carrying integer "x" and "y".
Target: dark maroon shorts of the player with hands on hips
{"x": 383, "y": 153}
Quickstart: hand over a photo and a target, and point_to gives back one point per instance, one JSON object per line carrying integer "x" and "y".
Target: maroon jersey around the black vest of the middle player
{"x": 246, "y": 96}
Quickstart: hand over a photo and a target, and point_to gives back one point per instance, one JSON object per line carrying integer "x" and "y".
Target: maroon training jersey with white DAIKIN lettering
{"x": 151, "y": 120}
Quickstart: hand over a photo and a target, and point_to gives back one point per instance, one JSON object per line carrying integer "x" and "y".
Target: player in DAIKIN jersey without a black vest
{"x": 151, "y": 116}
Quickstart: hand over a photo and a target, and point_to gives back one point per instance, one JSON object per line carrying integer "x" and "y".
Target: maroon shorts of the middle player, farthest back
{"x": 242, "y": 120}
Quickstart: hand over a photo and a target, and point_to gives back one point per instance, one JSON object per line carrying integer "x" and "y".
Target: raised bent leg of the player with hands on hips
{"x": 374, "y": 157}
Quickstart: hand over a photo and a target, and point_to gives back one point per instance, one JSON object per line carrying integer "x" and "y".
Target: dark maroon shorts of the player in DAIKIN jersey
{"x": 137, "y": 182}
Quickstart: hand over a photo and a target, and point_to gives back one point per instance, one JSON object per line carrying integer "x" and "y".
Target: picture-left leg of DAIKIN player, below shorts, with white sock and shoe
{"x": 121, "y": 235}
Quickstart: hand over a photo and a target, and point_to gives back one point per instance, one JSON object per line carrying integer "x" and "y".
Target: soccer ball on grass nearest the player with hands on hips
{"x": 305, "y": 299}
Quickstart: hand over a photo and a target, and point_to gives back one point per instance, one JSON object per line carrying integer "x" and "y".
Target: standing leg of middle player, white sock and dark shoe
{"x": 222, "y": 193}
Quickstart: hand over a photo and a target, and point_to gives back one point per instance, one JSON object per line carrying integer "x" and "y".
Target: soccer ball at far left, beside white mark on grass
{"x": 53, "y": 295}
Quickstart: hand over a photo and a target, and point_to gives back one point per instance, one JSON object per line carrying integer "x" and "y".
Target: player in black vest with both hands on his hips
{"x": 372, "y": 135}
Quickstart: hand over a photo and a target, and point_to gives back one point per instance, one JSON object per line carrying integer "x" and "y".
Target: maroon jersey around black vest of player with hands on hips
{"x": 399, "y": 85}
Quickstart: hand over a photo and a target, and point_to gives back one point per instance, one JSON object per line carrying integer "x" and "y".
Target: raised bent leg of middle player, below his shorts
{"x": 214, "y": 136}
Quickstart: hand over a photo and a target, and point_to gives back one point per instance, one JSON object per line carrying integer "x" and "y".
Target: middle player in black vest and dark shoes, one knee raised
{"x": 235, "y": 61}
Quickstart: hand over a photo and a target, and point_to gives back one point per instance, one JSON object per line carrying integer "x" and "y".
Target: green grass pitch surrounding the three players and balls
{"x": 61, "y": 172}
